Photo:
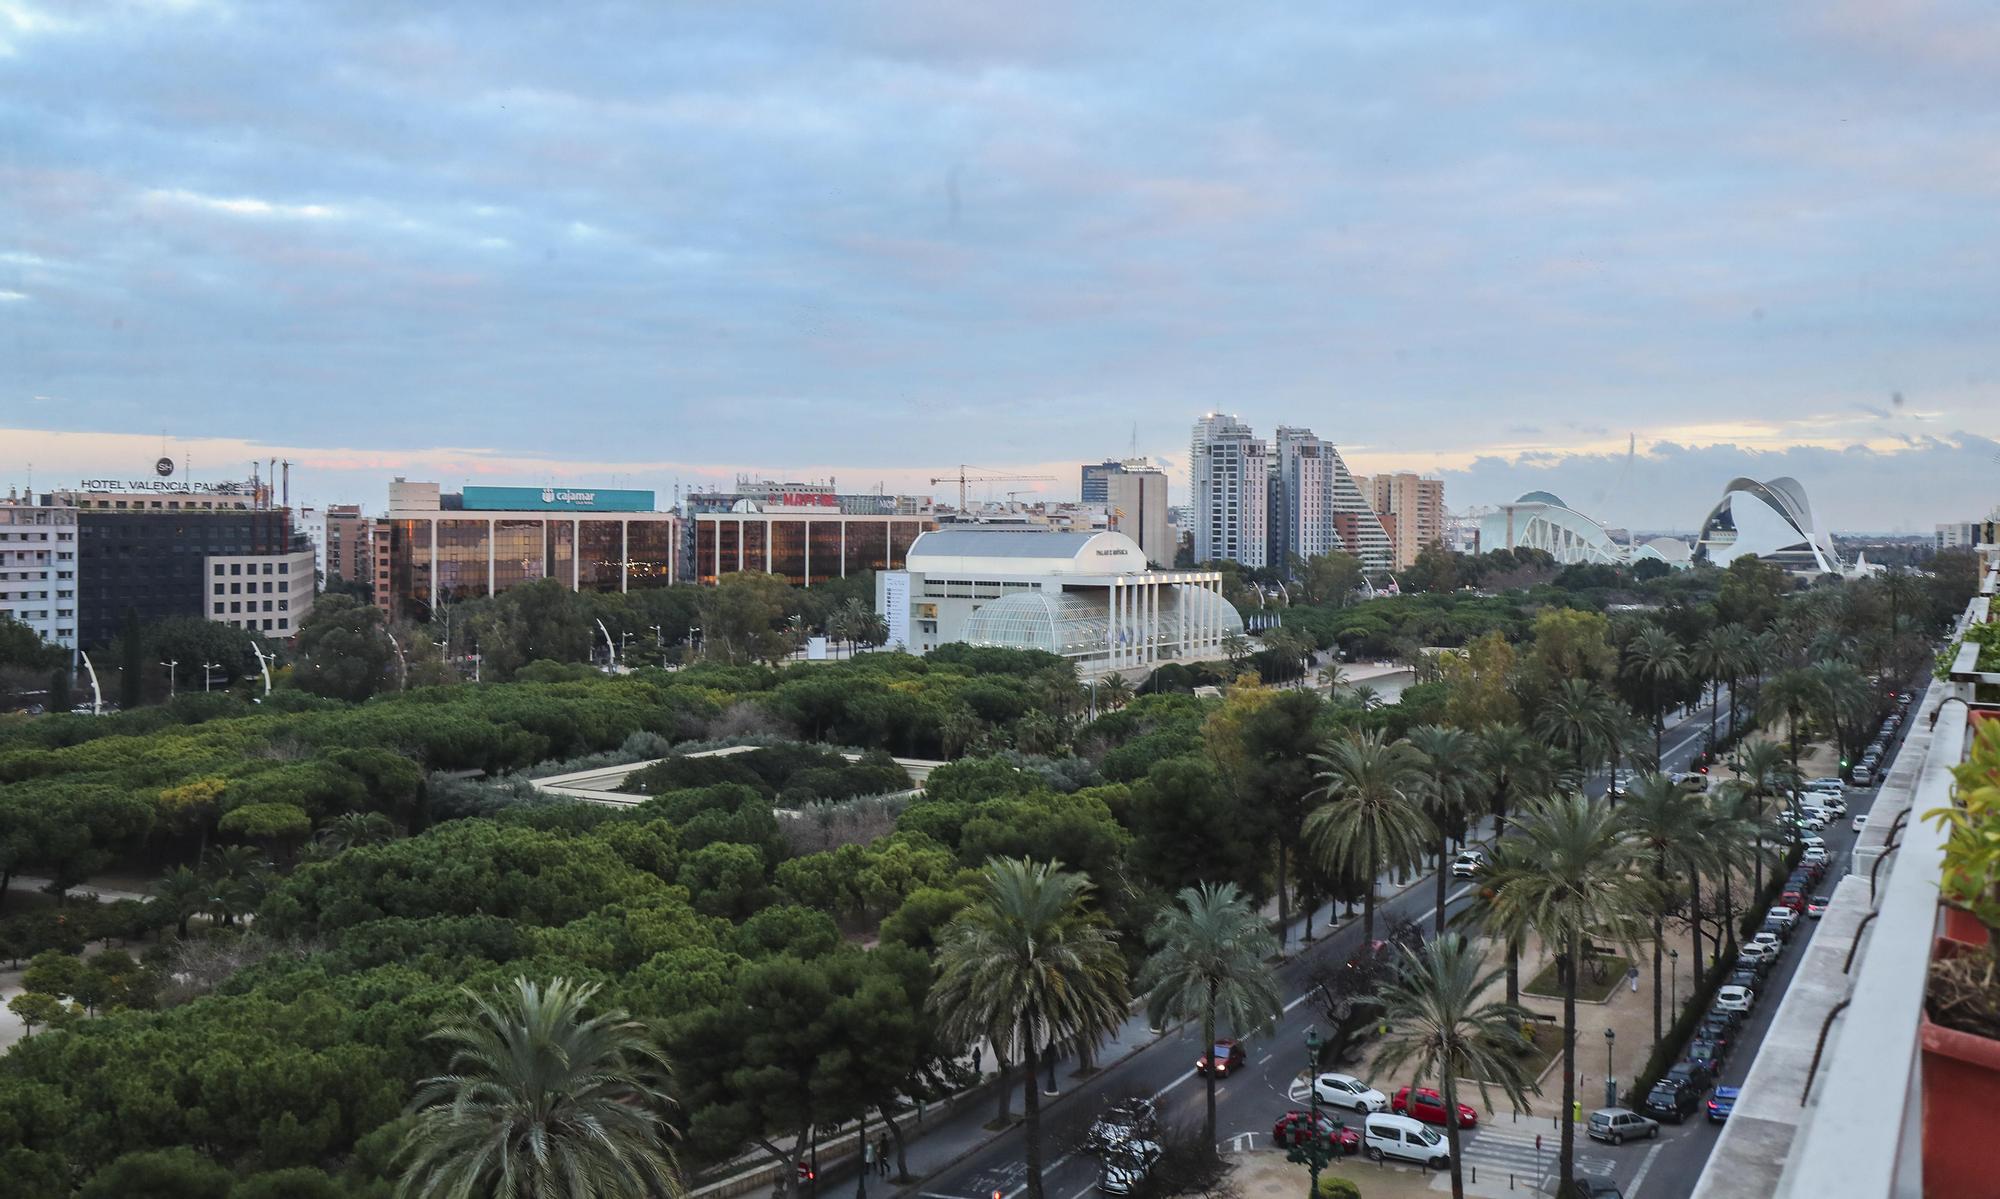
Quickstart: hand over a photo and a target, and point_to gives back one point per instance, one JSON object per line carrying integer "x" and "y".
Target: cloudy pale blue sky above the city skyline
{"x": 1621, "y": 253}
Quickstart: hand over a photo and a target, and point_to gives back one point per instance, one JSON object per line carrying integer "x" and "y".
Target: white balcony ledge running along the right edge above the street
{"x": 1835, "y": 1100}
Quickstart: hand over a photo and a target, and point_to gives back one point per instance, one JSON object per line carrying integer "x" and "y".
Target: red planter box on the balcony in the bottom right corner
{"x": 1961, "y": 1094}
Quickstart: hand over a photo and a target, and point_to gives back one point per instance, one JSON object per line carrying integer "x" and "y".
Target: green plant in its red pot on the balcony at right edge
{"x": 1961, "y": 1028}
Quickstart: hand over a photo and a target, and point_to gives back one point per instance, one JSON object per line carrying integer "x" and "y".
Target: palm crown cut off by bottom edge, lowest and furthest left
{"x": 543, "y": 1102}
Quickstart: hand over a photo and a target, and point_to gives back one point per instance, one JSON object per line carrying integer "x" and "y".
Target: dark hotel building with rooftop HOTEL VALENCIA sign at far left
{"x": 145, "y": 549}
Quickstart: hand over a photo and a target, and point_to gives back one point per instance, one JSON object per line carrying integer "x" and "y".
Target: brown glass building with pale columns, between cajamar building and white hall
{"x": 803, "y": 549}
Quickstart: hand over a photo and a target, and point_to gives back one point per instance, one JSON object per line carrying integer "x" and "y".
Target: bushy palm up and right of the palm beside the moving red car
{"x": 1371, "y": 818}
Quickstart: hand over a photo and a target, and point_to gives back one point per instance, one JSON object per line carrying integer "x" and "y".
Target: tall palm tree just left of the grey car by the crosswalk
{"x": 1569, "y": 874}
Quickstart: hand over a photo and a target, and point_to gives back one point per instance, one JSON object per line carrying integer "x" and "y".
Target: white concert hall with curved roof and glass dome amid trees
{"x": 1081, "y": 597}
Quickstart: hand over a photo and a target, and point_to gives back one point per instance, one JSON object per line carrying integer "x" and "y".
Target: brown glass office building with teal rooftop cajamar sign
{"x": 445, "y": 547}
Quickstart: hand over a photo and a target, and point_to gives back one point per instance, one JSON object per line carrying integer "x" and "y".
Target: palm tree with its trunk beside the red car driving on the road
{"x": 1211, "y": 960}
